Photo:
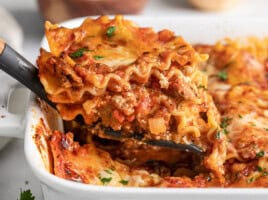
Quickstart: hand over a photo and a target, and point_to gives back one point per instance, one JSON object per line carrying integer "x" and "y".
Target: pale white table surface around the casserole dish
{"x": 14, "y": 171}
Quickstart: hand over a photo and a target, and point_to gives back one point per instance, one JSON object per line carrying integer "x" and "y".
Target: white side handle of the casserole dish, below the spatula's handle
{"x": 12, "y": 113}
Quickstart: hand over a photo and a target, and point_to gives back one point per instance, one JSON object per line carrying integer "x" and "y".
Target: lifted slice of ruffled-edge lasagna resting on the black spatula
{"x": 129, "y": 79}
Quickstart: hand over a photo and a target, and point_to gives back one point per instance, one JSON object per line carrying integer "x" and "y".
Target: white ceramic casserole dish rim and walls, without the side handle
{"x": 193, "y": 30}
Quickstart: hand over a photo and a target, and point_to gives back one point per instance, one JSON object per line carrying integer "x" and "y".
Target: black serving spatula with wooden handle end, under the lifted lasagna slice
{"x": 26, "y": 73}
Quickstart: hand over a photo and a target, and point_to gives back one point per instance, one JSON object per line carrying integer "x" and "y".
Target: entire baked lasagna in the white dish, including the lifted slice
{"x": 111, "y": 76}
